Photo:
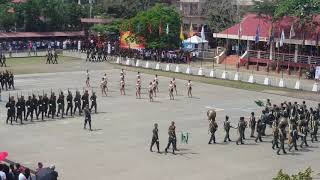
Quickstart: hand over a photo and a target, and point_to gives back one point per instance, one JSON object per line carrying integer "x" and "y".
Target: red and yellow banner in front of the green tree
{"x": 125, "y": 41}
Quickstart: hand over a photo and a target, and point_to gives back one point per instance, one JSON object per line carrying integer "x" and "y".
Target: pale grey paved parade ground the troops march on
{"x": 118, "y": 146}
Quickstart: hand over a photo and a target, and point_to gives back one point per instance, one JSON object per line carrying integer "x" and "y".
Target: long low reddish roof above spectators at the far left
{"x": 40, "y": 34}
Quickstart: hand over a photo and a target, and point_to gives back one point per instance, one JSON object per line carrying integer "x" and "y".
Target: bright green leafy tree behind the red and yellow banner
{"x": 156, "y": 16}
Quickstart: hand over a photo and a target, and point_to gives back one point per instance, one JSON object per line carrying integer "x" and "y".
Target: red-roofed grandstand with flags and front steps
{"x": 299, "y": 51}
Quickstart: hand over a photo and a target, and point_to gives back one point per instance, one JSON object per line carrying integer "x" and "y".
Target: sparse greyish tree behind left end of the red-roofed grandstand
{"x": 220, "y": 14}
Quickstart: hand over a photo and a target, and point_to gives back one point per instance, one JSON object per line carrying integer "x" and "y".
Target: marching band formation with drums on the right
{"x": 290, "y": 122}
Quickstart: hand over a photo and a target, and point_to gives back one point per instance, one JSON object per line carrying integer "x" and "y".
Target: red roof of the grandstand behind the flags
{"x": 251, "y": 21}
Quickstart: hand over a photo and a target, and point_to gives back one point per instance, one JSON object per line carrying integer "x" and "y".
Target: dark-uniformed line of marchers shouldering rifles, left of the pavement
{"x": 43, "y": 106}
